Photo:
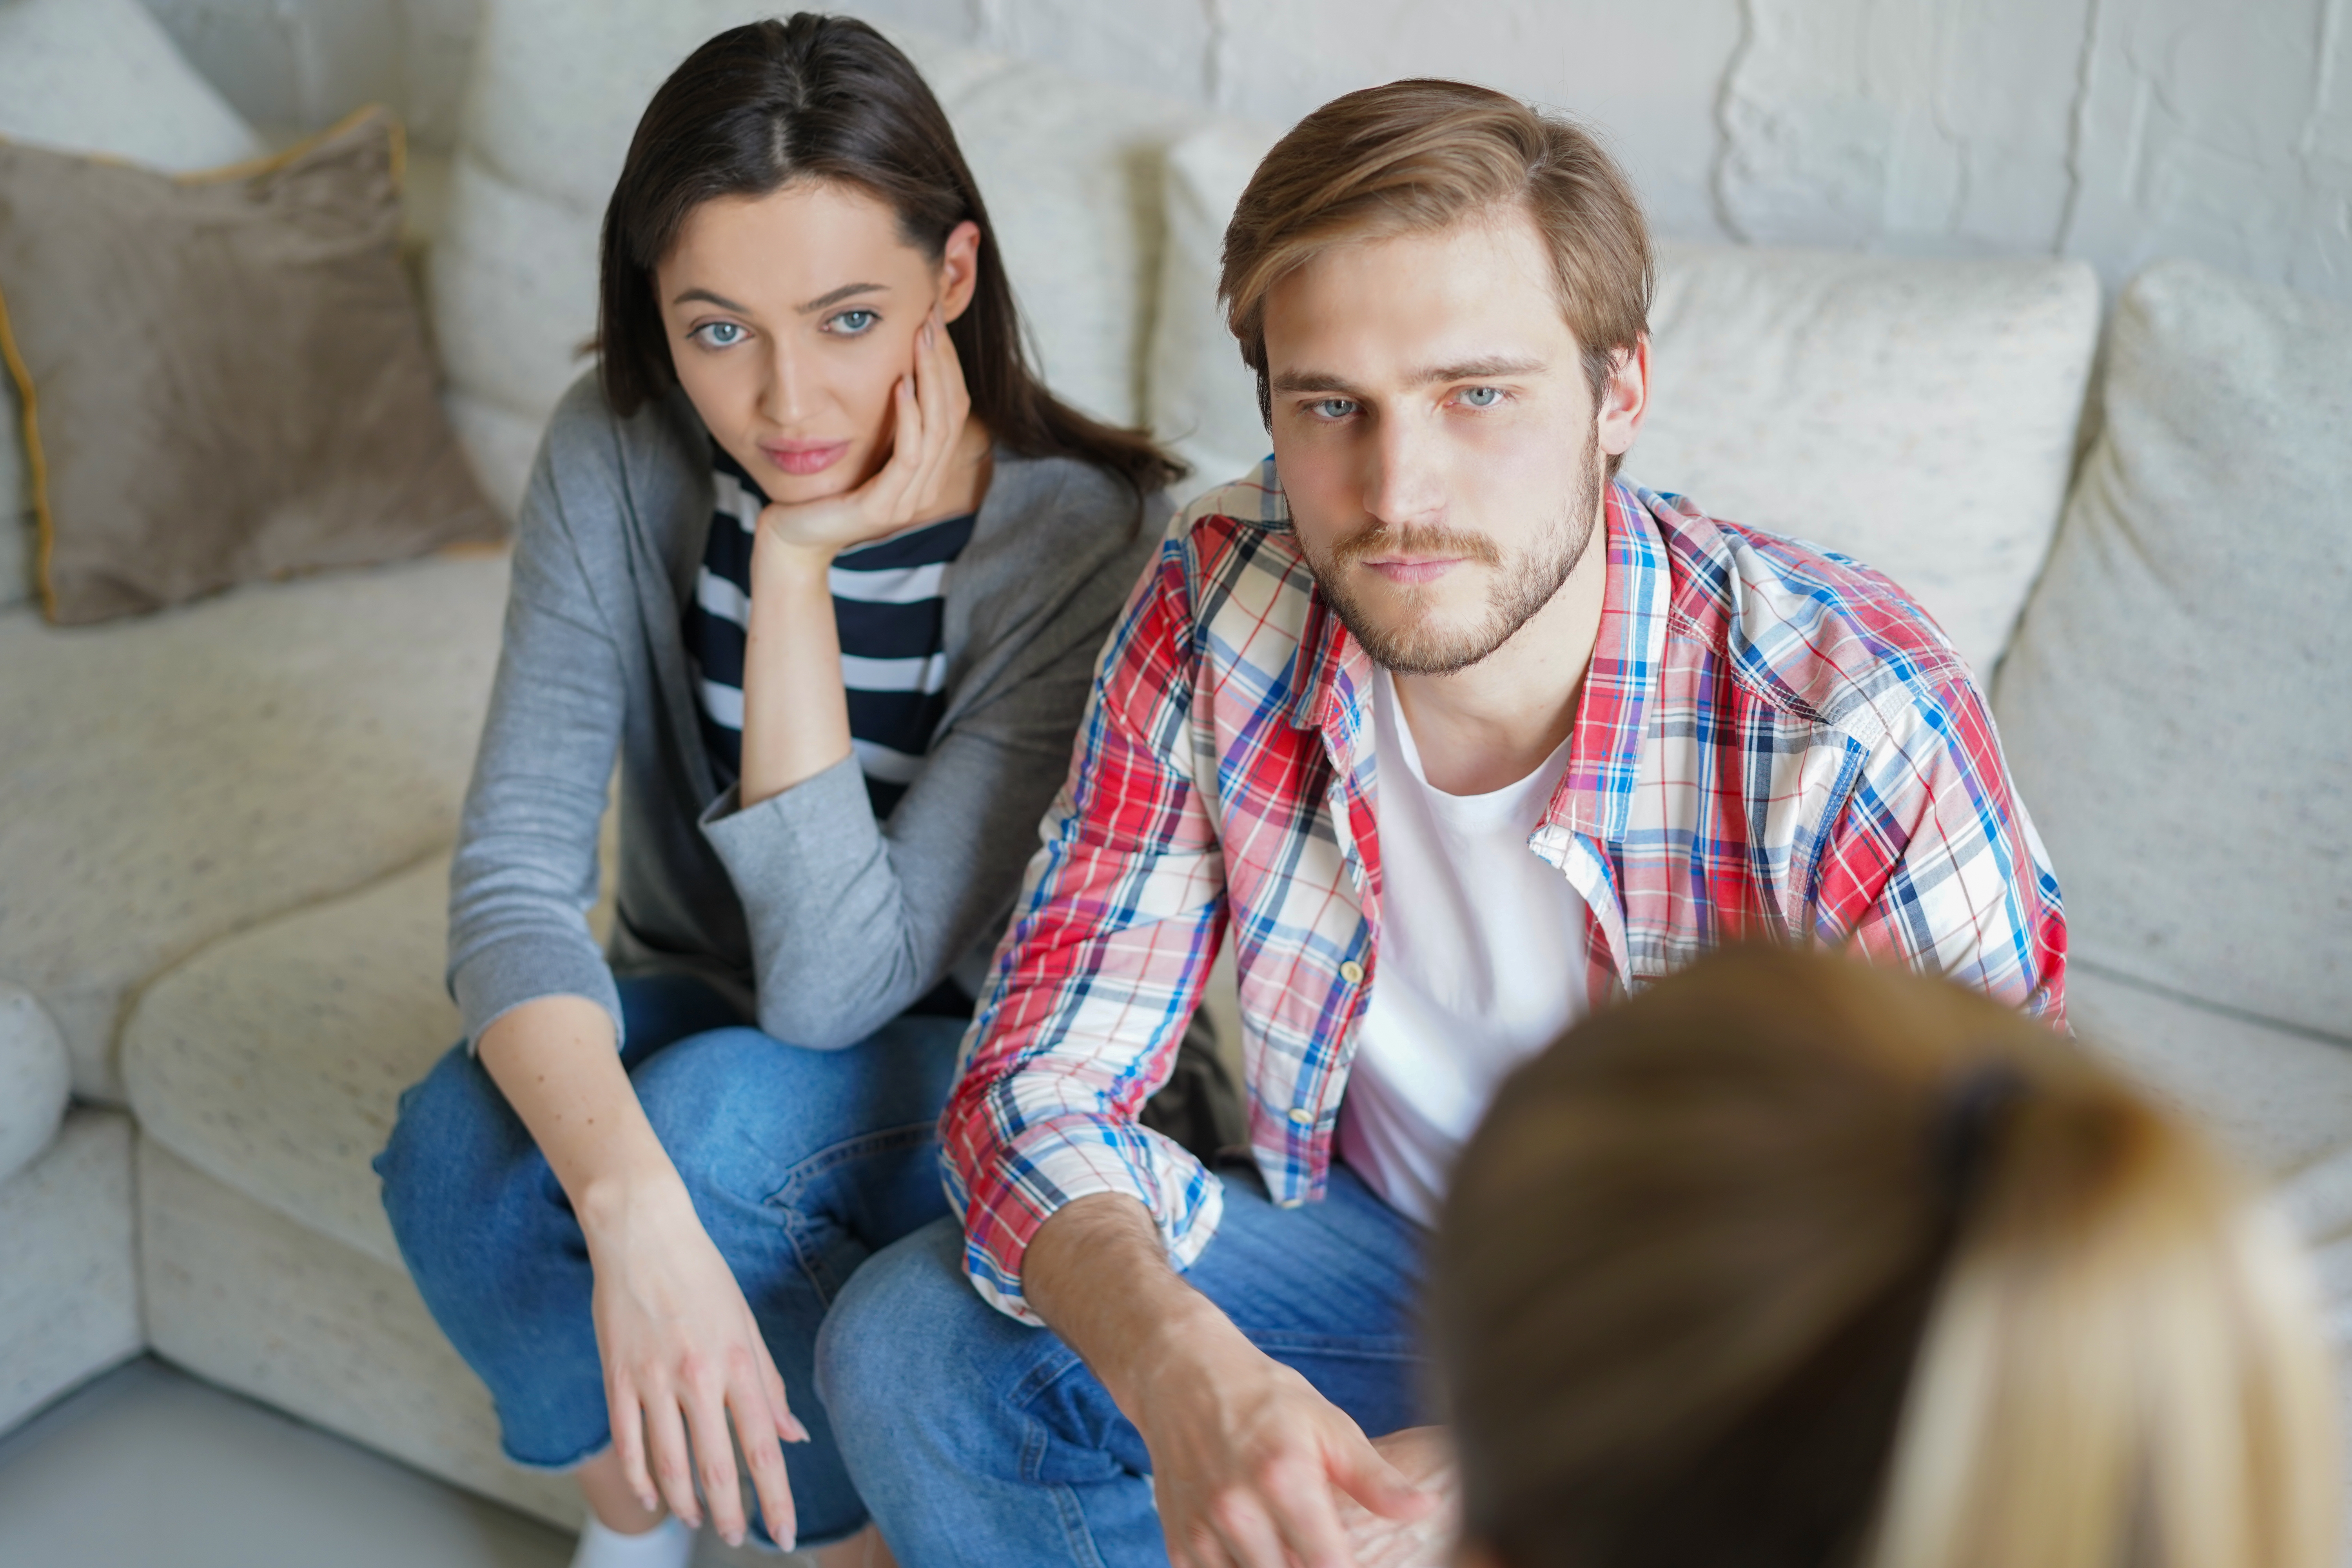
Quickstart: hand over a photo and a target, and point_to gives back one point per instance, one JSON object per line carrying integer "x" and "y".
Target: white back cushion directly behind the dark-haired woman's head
{"x": 1069, "y": 173}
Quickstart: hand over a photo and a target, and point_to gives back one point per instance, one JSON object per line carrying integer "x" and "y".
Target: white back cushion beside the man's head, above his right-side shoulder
{"x": 1916, "y": 415}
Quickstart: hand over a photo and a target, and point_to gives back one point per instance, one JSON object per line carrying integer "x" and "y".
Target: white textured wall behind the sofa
{"x": 2111, "y": 130}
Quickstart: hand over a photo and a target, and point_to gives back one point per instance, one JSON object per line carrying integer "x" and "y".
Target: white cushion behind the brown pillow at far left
{"x": 95, "y": 76}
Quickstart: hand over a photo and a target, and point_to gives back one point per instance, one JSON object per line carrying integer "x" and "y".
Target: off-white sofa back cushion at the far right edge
{"x": 2177, "y": 706}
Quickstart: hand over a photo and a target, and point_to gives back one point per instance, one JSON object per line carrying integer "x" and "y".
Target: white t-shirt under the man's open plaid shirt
{"x": 1478, "y": 967}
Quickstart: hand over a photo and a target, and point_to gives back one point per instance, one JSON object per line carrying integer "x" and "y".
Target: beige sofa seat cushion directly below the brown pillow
{"x": 189, "y": 775}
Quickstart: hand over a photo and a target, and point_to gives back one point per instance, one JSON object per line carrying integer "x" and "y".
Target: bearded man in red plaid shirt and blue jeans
{"x": 1462, "y": 739}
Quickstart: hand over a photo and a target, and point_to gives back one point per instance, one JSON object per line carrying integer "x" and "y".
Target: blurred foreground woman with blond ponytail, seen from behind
{"x": 1803, "y": 1264}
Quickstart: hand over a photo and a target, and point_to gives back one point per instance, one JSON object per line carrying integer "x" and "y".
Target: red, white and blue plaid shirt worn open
{"x": 1772, "y": 742}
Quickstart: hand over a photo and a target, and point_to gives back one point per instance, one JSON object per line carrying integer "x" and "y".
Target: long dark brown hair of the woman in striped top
{"x": 827, "y": 100}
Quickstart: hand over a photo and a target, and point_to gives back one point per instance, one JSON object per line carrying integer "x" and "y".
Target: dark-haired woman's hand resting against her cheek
{"x": 930, "y": 410}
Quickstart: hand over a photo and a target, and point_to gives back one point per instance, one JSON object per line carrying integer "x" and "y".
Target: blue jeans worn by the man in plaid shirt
{"x": 980, "y": 1440}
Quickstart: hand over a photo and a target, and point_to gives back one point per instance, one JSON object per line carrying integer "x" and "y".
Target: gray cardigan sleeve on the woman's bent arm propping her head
{"x": 855, "y": 920}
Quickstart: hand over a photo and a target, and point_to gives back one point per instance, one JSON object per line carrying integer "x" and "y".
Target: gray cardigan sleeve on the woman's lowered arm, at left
{"x": 526, "y": 869}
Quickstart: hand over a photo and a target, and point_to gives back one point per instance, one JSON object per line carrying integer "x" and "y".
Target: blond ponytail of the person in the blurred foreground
{"x": 2125, "y": 1362}
